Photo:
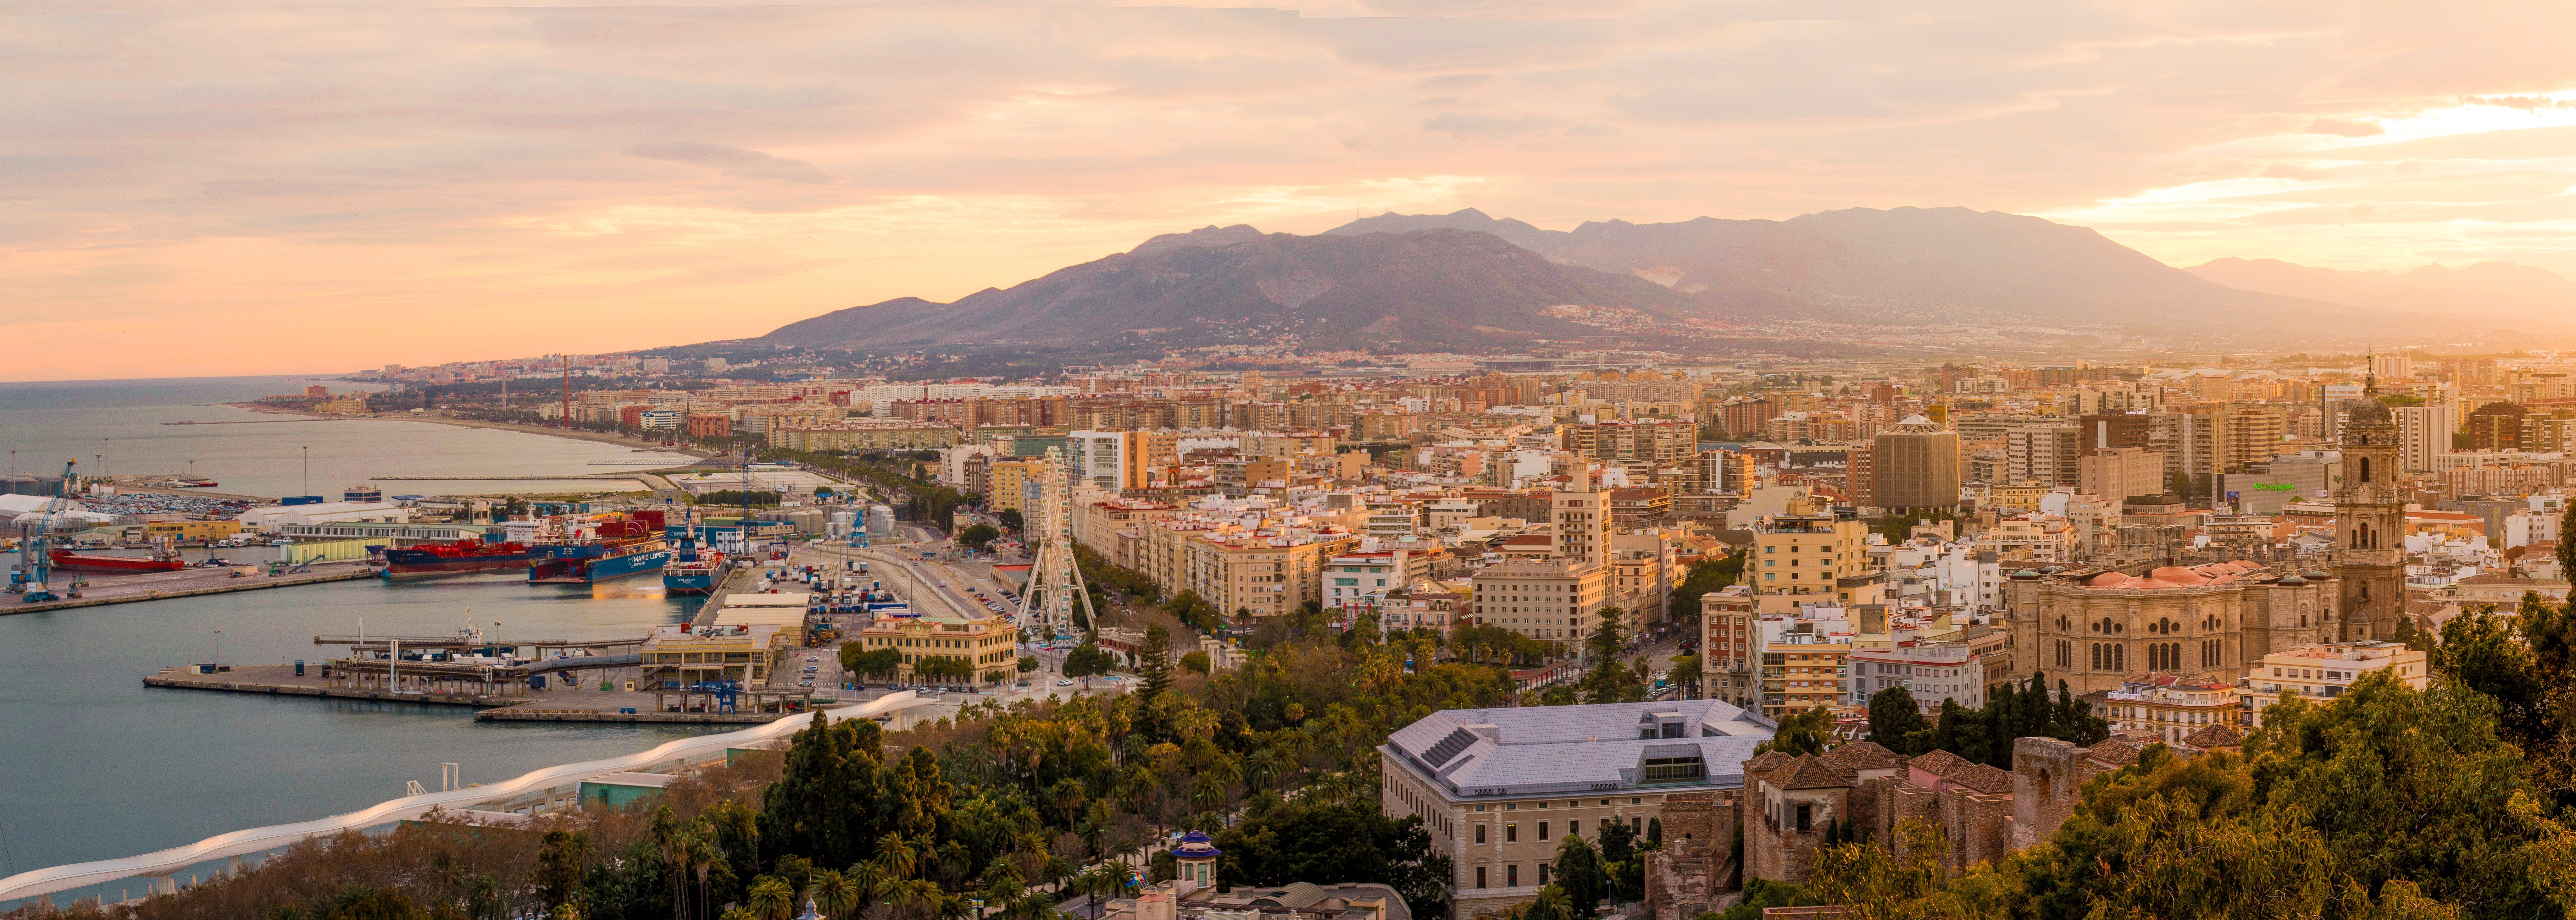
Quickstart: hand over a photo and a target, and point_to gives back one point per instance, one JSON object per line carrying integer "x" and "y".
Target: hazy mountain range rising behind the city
{"x": 1470, "y": 282}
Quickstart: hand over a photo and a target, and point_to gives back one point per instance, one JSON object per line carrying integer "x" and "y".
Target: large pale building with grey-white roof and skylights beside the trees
{"x": 1498, "y": 790}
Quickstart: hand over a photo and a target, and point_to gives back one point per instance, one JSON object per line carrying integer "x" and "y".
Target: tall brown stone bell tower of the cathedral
{"x": 2371, "y": 524}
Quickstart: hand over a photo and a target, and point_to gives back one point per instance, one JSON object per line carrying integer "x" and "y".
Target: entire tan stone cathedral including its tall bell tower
{"x": 2098, "y": 628}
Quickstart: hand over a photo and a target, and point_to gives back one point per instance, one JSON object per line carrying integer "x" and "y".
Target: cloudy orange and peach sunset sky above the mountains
{"x": 218, "y": 187}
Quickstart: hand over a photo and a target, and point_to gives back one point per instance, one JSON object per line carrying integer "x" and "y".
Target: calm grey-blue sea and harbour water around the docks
{"x": 99, "y": 767}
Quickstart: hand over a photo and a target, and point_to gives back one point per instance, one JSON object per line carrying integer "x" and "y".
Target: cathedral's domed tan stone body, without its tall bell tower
{"x": 2101, "y": 625}
